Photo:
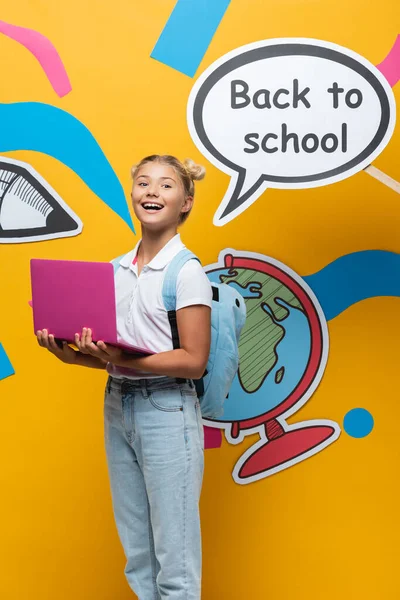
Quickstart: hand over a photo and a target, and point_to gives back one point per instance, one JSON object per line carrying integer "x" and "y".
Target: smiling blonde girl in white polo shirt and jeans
{"x": 153, "y": 429}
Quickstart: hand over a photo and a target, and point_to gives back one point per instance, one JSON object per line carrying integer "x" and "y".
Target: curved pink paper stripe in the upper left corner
{"x": 44, "y": 52}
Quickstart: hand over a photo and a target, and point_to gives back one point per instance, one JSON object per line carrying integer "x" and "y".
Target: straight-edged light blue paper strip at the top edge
{"x": 188, "y": 33}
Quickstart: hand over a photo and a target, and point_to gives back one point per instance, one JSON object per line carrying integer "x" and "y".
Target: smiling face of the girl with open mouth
{"x": 158, "y": 197}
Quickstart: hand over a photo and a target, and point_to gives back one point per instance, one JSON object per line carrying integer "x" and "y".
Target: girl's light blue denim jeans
{"x": 155, "y": 453}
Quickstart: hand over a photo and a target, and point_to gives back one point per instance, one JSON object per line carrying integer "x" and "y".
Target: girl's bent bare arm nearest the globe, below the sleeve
{"x": 189, "y": 362}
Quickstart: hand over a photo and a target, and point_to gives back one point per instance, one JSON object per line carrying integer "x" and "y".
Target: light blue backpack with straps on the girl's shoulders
{"x": 228, "y": 315}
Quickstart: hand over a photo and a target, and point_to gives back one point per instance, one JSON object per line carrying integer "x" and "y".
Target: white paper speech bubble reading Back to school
{"x": 289, "y": 113}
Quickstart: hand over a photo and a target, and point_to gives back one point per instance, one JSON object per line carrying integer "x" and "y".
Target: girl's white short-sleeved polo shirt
{"x": 142, "y": 319}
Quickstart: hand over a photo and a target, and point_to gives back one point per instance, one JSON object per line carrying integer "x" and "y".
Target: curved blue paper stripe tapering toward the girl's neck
{"x": 45, "y": 128}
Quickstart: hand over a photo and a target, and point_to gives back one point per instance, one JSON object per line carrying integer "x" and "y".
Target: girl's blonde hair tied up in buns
{"x": 188, "y": 172}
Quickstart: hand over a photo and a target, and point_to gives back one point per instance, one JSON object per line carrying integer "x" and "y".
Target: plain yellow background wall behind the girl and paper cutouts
{"x": 326, "y": 528}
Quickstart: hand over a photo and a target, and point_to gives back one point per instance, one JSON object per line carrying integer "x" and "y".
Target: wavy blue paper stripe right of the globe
{"x": 355, "y": 277}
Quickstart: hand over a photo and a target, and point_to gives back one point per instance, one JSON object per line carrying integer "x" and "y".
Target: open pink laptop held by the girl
{"x": 68, "y": 295}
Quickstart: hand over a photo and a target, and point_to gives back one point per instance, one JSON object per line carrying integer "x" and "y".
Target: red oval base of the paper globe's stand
{"x": 283, "y": 448}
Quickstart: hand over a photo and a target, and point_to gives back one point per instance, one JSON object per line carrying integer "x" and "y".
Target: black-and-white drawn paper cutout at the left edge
{"x": 30, "y": 209}
